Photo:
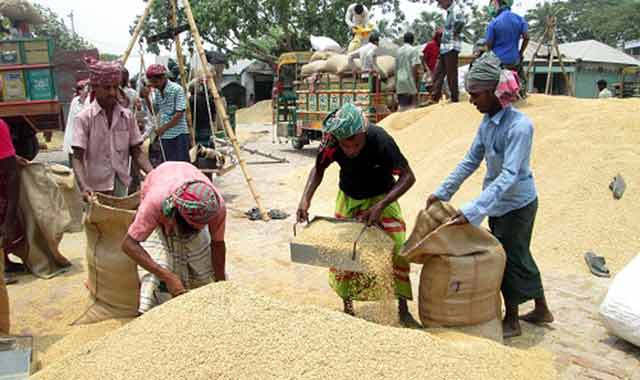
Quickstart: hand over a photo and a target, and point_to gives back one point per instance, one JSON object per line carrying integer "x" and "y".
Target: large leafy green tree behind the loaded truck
{"x": 263, "y": 29}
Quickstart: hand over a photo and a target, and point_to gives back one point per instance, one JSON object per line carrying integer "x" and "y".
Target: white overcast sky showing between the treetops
{"x": 106, "y": 24}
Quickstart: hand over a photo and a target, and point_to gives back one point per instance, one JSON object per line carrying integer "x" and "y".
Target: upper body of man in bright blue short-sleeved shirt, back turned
{"x": 504, "y": 32}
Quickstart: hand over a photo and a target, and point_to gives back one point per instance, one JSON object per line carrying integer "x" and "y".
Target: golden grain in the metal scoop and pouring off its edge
{"x": 374, "y": 252}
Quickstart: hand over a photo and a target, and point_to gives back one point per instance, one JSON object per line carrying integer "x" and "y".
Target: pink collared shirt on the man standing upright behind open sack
{"x": 107, "y": 148}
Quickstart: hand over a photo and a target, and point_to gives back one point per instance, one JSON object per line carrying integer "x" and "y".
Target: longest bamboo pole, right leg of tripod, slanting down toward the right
{"x": 220, "y": 110}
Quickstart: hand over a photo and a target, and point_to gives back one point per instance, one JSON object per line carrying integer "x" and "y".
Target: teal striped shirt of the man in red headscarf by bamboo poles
{"x": 166, "y": 103}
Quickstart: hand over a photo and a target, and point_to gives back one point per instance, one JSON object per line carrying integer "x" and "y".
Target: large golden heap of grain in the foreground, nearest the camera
{"x": 223, "y": 331}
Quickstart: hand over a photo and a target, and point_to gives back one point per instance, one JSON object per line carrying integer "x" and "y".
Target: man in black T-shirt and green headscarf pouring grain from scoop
{"x": 369, "y": 161}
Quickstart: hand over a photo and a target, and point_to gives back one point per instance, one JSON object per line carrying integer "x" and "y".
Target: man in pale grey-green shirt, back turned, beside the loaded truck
{"x": 407, "y": 81}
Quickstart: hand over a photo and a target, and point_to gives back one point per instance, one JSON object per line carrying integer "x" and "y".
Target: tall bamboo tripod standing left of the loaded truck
{"x": 213, "y": 90}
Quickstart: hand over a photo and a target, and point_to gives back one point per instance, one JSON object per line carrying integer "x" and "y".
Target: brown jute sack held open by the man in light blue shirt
{"x": 462, "y": 269}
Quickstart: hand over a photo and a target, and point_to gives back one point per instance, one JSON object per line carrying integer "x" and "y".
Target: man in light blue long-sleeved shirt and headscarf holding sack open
{"x": 509, "y": 195}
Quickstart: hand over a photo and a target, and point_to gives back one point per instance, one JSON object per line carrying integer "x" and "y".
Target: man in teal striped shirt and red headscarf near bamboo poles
{"x": 169, "y": 103}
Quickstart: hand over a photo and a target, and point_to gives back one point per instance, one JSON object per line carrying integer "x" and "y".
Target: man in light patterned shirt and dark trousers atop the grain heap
{"x": 450, "y": 47}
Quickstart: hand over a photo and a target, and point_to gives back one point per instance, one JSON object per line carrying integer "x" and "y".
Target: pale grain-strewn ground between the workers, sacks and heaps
{"x": 258, "y": 256}
